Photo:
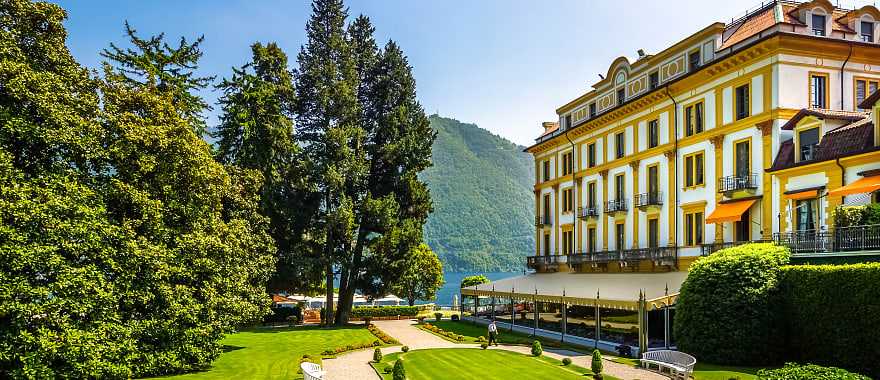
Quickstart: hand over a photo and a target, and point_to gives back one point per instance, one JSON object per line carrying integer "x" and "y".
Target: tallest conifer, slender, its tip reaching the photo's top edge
{"x": 327, "y": 128}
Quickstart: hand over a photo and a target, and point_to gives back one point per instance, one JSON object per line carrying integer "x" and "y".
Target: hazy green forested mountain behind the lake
{"x": 481, "y": 185}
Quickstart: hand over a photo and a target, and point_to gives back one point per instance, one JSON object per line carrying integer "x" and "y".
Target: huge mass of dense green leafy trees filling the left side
{"x": 125, "y": 249}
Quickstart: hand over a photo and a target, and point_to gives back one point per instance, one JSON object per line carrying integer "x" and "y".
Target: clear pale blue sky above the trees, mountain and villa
{"x": 503, "y": 65}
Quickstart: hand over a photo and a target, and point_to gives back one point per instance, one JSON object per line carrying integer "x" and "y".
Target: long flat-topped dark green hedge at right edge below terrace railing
{"x": 832, "y": 315}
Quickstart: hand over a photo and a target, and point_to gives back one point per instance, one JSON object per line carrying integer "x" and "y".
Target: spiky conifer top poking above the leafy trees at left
{"x": 169, "y": 69}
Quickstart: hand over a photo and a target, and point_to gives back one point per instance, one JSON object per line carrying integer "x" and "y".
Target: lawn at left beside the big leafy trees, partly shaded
{"x": 275, "y": 353}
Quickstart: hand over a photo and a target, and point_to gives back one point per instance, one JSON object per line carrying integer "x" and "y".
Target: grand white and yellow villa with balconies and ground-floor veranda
{"x": 755, "y": 130}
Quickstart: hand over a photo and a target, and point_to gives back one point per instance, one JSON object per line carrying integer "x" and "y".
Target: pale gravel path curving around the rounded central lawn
{"x": 355, "y": 365}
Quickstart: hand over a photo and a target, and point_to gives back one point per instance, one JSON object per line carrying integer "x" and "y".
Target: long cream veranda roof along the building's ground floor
{"x": 614, "y": 290}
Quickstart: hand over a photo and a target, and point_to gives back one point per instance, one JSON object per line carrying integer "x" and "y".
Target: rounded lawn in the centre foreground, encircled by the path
{"x": 469, "y": 363}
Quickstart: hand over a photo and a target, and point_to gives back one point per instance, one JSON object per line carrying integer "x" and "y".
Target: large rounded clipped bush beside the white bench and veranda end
{"x": 728, "y": 311}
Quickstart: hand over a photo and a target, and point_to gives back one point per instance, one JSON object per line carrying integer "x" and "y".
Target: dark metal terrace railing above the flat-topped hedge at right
{"x": 841, "y": 239}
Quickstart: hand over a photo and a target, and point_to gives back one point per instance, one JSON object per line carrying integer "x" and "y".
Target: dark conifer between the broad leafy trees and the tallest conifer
{"x": 256, "y": 132}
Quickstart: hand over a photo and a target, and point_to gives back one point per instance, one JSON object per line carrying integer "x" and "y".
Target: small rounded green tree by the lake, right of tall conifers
{"x": 422, "y": 277}
